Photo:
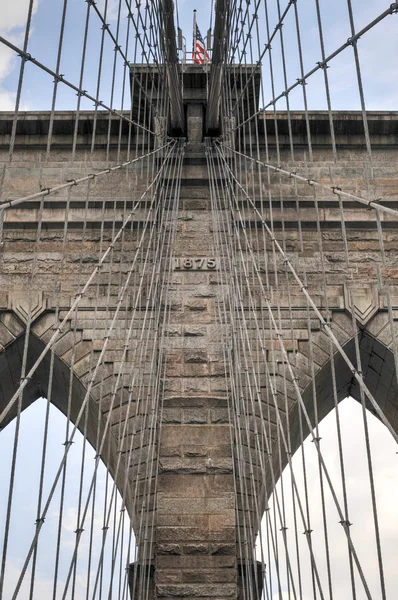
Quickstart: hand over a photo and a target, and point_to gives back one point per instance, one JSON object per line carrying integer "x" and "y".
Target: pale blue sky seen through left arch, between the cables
{"x": 25, "y": 501}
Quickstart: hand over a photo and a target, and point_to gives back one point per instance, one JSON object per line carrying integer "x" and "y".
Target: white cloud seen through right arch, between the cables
{"x": 360, "y": 507}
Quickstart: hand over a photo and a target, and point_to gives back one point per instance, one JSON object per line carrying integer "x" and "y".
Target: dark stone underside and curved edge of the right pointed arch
{"x": 377, "y": 362}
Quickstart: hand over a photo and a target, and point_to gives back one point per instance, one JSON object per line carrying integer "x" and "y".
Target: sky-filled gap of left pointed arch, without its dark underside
{"x": 86, "y": 541}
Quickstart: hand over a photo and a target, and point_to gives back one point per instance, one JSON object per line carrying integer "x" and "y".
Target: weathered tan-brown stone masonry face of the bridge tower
{"x": 196, "y": 518}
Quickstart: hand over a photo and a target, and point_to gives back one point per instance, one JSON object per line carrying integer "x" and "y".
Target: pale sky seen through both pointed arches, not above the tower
{"x": 386, "y": 484}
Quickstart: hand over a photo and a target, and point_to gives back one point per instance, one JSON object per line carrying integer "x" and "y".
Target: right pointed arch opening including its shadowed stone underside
{"x": 329, "y": 526}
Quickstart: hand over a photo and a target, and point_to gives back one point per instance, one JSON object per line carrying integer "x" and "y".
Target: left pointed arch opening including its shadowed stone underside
{"x": 67, "y": 519}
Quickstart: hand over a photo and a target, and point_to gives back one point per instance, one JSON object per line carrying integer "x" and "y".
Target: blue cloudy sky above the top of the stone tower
{"x": 377, "y": 51}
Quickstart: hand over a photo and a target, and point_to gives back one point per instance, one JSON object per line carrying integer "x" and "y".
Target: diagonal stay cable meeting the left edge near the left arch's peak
{"x": 80, "y": 295}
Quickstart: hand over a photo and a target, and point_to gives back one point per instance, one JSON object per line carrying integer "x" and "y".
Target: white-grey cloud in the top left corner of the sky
{"x": 12, "y": 27}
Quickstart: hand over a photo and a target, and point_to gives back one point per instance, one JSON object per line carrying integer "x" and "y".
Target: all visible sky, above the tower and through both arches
{"x": 378, "y": 51}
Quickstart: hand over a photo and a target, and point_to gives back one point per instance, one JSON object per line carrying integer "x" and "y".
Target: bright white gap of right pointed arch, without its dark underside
{"x": 308, "y": 553}
